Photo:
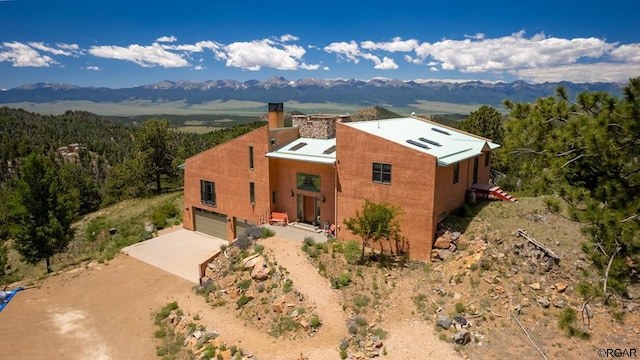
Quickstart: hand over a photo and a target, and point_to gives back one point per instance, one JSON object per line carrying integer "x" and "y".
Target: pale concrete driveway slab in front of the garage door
{"x": 179, "y": 252}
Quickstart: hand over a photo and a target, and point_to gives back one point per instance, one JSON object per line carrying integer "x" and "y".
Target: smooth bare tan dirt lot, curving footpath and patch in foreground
{"x": 106, "y": 311}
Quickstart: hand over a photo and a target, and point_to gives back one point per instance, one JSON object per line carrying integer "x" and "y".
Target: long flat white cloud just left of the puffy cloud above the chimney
{"x": 146, "y": 56}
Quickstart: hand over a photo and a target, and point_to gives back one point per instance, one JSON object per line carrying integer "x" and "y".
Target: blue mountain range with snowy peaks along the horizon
{"x": 384, "y": 92}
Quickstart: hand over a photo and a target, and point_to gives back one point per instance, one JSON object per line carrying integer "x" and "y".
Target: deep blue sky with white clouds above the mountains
{"x": 128, "y": 43}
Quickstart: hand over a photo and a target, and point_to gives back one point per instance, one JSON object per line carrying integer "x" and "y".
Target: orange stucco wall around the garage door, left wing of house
{"x": 227, "y": 165}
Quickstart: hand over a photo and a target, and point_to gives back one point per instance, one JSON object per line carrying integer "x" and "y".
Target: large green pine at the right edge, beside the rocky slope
{"x": 587, "y": 152}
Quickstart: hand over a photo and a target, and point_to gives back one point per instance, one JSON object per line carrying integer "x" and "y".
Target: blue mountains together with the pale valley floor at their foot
{"x": 305, "y": 95}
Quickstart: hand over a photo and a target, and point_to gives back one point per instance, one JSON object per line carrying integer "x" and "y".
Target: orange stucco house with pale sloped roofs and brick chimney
{"x": 323, "y": 167}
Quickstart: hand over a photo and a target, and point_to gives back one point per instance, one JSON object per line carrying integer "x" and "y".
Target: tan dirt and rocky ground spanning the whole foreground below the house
{"x": 499, "y": 292}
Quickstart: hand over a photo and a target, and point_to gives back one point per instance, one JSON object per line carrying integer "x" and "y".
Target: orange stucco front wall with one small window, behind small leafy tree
{"x": 412, "y": 185}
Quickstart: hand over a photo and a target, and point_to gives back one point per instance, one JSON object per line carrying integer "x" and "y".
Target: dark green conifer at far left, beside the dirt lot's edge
{"x": 41, "y": 211}
